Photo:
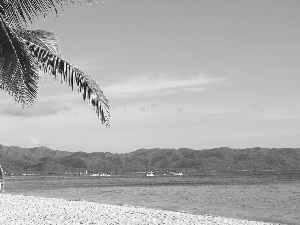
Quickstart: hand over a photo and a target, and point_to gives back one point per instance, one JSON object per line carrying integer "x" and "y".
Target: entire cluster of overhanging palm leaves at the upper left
{"x": 24, "y": 52}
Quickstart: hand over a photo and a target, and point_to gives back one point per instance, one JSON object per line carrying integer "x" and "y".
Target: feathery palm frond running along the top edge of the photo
{"x": 21, "y": 12}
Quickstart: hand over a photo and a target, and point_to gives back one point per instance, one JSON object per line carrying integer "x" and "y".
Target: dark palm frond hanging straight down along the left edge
{"x": 18, "y": 74}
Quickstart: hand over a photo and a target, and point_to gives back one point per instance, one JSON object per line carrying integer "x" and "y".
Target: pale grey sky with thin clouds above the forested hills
{"x": 194, "y": 74}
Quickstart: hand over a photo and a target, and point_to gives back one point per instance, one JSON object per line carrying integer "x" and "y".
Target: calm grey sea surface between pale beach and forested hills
{"x": 268, "y": 196}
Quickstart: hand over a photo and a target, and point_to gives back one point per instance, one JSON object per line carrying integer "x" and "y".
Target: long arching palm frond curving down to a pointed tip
{"x": 54, "y": 65}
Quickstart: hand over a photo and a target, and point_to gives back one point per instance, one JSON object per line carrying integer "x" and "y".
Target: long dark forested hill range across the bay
{"x": 42, "y": 160}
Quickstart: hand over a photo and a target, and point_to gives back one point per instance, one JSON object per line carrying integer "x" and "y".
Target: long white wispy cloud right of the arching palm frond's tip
{"x": 159, "y": 84}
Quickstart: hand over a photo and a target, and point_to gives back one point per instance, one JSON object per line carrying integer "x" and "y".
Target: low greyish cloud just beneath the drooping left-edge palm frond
{"x": 42, "y": 108}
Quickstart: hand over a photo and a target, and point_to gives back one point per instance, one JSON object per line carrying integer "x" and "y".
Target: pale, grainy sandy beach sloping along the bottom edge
{"x": 18, "y": 209}
